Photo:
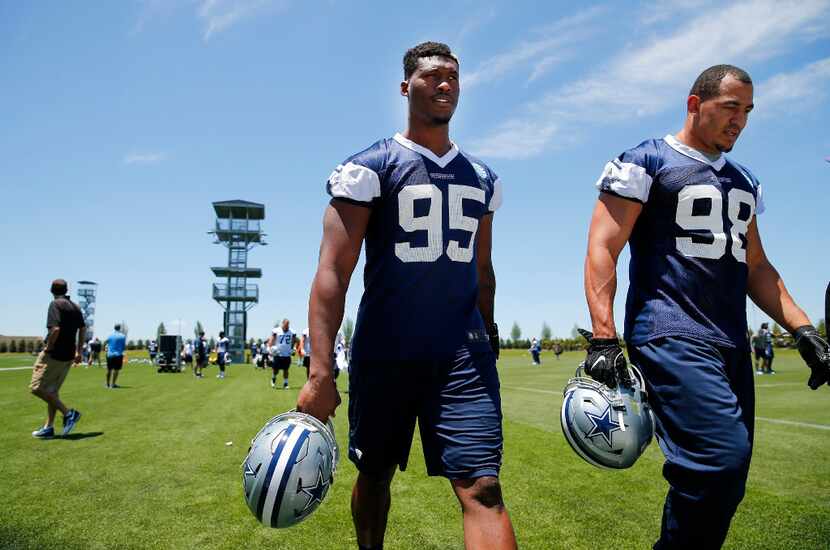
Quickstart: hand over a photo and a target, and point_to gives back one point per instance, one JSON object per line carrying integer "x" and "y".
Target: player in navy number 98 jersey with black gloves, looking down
{"x": 689, "y": 215}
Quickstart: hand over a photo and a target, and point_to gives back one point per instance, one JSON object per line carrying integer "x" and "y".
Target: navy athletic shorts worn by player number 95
{"x": 456, "y": 403}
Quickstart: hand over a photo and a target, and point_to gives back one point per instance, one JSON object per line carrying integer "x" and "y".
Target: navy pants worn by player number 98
{"x": 703, "y": 397}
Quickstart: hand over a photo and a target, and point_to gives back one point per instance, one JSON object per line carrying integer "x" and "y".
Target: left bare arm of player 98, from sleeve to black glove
{"x": 611, "y": 226}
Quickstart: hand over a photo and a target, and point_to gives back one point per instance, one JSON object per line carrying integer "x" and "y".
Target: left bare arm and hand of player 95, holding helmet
{"x": 344, "y": 226}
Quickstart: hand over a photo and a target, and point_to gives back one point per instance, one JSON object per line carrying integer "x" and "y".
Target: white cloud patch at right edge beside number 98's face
{"x": 795, "y": 88}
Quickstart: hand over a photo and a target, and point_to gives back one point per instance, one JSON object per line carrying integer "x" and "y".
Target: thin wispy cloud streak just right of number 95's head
{"x": 554, "y": 42}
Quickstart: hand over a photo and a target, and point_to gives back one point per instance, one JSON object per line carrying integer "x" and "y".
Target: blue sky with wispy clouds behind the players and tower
{"x": 122, "y": 121}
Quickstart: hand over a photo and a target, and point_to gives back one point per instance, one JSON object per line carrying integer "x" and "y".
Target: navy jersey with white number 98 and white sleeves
{"x": 688, "y": 271}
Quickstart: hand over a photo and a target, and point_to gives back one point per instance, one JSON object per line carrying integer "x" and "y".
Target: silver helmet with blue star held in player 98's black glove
{"x": 609, "y": 428}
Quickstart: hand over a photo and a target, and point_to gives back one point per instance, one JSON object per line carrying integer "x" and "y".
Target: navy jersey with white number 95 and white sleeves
{"x": 420, "y": 297}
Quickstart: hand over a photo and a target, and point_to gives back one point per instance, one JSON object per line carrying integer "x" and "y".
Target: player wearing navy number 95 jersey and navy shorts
{"x": 425, "y": 211}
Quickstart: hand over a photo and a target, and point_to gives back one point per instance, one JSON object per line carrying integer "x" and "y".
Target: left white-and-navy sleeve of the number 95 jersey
{"x": 357, "y": 179}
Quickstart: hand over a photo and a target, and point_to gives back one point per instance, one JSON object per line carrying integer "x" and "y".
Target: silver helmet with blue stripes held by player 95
{"x": 289, "y": 468}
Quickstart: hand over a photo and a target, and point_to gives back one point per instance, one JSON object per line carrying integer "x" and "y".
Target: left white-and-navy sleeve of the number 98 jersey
{"x": 630, "y": 175}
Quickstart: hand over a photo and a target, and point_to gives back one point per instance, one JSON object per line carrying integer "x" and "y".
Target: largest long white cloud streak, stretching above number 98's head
{"x": 648, "y": 79}
